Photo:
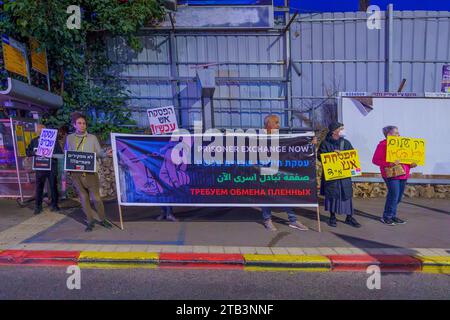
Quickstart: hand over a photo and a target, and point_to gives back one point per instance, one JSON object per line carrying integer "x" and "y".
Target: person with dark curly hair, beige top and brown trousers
{"x": 87, "y": 184}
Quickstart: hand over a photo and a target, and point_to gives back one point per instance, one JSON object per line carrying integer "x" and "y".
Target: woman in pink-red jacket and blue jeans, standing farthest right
{"x": 395, "y": 175}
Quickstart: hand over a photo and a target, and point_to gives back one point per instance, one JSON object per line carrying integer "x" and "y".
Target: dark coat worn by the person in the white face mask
{"x": 331, "y": 188}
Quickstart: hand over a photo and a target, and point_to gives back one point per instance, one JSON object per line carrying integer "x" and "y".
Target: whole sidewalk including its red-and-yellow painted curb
{"x": 233, "y": 237}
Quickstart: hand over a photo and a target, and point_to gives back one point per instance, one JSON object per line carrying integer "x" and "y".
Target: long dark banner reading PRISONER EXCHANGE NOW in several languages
{"x": 233, "y": 171}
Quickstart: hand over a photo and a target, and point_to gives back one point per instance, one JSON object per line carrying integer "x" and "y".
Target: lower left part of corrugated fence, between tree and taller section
{"x": 241, "y": 99}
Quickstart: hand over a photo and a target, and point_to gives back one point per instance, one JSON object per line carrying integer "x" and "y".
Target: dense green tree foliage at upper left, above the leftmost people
{"x": 78, "y": 62}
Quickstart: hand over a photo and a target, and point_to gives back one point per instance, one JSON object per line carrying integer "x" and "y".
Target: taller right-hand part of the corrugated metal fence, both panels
{"x": 337, "y": 52}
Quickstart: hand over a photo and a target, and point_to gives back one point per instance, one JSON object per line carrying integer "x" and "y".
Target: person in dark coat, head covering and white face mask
{"x": 338, "y": 193}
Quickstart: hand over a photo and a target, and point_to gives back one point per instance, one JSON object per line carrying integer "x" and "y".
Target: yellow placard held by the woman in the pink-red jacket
{"x": 405, "y": 150}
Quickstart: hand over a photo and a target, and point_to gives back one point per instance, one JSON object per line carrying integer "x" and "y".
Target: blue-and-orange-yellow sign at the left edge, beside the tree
{"x": 14, "y": 55}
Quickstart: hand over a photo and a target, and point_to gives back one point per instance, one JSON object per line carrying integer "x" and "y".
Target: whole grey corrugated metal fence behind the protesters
{"x": 295, "y": 74}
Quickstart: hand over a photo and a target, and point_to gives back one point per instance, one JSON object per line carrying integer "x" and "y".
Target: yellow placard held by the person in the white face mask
{"x": 344, "y": 164}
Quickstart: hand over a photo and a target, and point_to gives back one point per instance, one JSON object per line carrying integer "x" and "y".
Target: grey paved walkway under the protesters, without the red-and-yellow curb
{"x": 231, "y": 230}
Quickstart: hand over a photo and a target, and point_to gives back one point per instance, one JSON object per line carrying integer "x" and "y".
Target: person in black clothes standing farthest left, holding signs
{"x": 43, "y": 175}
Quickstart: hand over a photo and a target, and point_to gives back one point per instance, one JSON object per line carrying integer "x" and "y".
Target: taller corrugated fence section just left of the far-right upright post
{"x": 335, "y": 52}
